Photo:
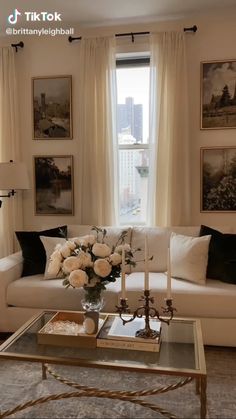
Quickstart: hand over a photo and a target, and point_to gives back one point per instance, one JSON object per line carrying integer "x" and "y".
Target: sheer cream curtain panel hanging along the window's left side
{"x": 97, "y": 138}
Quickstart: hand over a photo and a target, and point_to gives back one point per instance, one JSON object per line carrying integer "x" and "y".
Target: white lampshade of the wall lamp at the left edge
{"x": 13, "y": 175}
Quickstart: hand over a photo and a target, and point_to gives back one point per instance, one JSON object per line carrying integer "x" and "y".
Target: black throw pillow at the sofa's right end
{"x": 221, "y": 255}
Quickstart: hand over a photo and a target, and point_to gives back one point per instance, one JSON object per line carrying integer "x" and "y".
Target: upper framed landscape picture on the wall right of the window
{"x": 218, "y": 94}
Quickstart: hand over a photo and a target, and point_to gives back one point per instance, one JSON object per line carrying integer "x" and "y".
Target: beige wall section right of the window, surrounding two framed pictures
{"x": 213, "y": 41}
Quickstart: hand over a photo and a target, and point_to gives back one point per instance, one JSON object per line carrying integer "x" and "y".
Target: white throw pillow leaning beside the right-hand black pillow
{"x": 189, "y": 257}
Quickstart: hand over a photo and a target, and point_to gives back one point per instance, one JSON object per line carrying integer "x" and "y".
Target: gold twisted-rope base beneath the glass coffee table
{"x": 131, "y": 396}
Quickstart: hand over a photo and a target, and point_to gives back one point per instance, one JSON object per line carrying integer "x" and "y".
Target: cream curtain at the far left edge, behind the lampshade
{"x": 11, "y": 210}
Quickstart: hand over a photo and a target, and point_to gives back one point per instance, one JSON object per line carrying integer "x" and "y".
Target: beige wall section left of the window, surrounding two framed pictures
{"x": 47, "y": 57}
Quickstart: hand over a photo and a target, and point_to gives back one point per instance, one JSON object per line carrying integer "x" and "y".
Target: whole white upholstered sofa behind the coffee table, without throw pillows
{"x": 213, "y": 302}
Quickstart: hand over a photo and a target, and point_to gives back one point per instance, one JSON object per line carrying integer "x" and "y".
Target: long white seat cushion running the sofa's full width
{"x": 214, "y": 299}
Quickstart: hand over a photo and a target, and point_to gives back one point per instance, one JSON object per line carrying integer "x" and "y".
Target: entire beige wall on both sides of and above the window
{"x": 41, "y": 56}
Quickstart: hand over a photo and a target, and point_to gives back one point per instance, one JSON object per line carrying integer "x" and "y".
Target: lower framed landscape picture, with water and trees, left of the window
{"x": 54, "y": 189}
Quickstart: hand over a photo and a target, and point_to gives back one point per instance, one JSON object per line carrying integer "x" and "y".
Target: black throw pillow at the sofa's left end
{"x": 34, "y": 255}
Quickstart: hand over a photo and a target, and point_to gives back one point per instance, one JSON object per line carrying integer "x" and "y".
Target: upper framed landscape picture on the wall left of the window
{"x": 52, "y": 109}
